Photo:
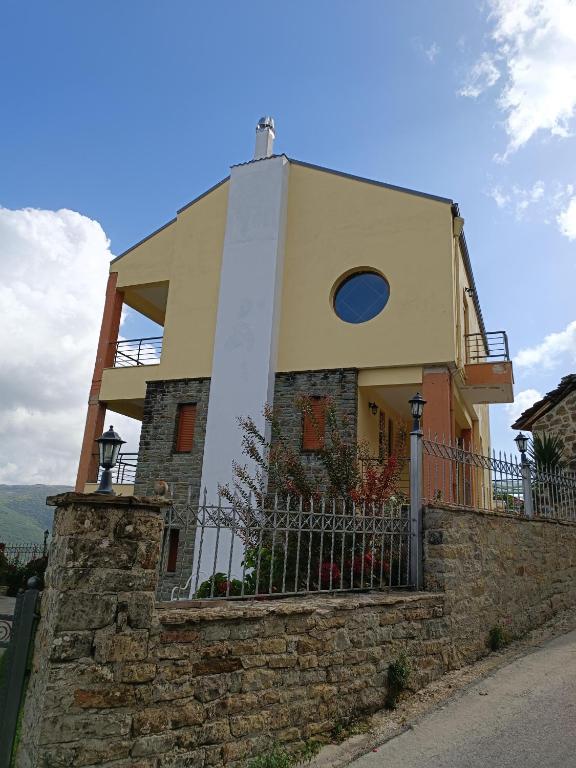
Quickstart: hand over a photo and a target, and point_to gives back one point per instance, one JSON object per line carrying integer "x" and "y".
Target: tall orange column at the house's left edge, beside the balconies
{"x": 88, "y": 466}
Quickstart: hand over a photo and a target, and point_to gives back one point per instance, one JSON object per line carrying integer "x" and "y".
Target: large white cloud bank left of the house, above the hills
{"x": 54, "y": 269}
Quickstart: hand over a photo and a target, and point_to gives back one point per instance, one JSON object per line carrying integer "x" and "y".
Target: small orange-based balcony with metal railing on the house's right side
{"x": 488, "y": 376}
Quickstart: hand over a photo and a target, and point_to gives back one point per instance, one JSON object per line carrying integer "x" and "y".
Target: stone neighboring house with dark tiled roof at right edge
{"x": 555, "y": 414}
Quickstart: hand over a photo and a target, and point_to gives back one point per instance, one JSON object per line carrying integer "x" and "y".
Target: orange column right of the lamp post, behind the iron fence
{"x": 438, "y": 424}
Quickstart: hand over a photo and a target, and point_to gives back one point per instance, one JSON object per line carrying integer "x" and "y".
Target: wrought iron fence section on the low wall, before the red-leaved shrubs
{"x": 297, "y": 547}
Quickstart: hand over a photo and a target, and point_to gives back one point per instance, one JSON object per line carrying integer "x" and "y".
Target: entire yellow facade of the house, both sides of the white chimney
{"x": 336, "y": 224}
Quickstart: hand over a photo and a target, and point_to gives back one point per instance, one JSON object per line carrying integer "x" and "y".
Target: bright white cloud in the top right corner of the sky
{"x": 535, "y": 42}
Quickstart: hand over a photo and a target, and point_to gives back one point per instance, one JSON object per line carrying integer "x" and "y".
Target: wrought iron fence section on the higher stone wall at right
{"x": 499, "y": 482}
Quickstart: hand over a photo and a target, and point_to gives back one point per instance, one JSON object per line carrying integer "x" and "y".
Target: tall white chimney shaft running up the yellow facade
{"x": 245, "y": 346}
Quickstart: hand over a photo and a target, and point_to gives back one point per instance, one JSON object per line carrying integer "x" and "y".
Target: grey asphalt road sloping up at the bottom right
{"x": 524, "y": 716}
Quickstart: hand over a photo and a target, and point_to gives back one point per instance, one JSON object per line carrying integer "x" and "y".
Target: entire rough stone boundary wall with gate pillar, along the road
{"x": 119, "y": 682}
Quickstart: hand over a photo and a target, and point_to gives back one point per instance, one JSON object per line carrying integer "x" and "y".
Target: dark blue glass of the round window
{"x": 361, "y": 297}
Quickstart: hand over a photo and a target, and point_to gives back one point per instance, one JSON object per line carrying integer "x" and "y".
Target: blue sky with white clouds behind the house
{"x": 114, "y": 115}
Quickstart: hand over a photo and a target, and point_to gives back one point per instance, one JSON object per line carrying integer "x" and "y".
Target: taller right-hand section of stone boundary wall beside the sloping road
{"x": 497, "y": 569}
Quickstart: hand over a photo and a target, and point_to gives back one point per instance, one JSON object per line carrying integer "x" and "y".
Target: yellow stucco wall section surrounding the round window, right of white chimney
{"x": 337, "y": 224}
